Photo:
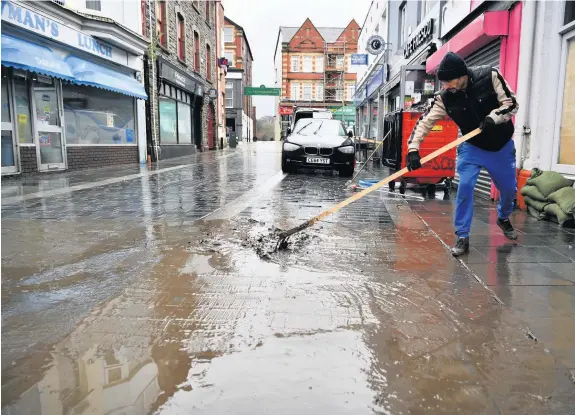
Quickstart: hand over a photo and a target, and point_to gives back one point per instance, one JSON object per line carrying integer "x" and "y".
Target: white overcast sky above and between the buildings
{"x": 261, "y": 20}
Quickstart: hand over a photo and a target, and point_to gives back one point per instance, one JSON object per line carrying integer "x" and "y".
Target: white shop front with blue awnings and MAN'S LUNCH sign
{"x": 68, "y": 99}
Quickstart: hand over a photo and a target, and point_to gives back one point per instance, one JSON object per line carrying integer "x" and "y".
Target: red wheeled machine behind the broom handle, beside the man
{"x": 440, "y": 169}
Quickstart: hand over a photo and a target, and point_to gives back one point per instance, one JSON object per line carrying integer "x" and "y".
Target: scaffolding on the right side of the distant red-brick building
{"x": 334, "y": 72}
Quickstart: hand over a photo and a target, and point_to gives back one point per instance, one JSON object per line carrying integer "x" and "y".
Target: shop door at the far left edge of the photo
{"x": 9, "y": 151}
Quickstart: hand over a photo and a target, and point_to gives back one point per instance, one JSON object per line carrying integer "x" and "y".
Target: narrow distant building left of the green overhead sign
{"x": 239, "y": 117}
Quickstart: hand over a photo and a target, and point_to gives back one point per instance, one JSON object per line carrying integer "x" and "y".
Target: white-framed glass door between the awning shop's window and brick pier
{"x": 48, "y": 131}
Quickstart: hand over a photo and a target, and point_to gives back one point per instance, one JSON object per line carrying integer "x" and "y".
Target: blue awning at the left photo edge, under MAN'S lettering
{"x": 21, "y": 54}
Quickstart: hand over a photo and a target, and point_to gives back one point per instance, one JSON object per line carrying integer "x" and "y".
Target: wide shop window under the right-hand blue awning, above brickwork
{"x": 97, "y": 116}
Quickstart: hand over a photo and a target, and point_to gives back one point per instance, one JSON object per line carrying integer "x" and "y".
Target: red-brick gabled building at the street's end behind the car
{"x": 313, "y": 68}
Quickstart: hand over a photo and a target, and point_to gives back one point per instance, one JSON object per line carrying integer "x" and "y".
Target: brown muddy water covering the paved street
{"x": 366, "y": 313}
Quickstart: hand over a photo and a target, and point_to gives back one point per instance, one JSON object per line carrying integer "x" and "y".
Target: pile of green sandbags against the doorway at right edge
{"x": 550, "y": 196}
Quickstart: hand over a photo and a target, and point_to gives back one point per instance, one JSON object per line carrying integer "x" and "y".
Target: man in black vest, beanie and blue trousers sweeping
{"x": 474, "y": 97}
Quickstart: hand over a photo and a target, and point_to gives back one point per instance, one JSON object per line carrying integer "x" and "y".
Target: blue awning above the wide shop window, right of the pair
{"x": 88, "y": 73}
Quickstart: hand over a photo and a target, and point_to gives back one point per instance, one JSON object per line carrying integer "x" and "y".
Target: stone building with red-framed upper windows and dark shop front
{"x": 181, "y": 69}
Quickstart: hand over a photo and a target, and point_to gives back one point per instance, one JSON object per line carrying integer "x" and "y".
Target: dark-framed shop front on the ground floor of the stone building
{"x": 180, "y": 103}
